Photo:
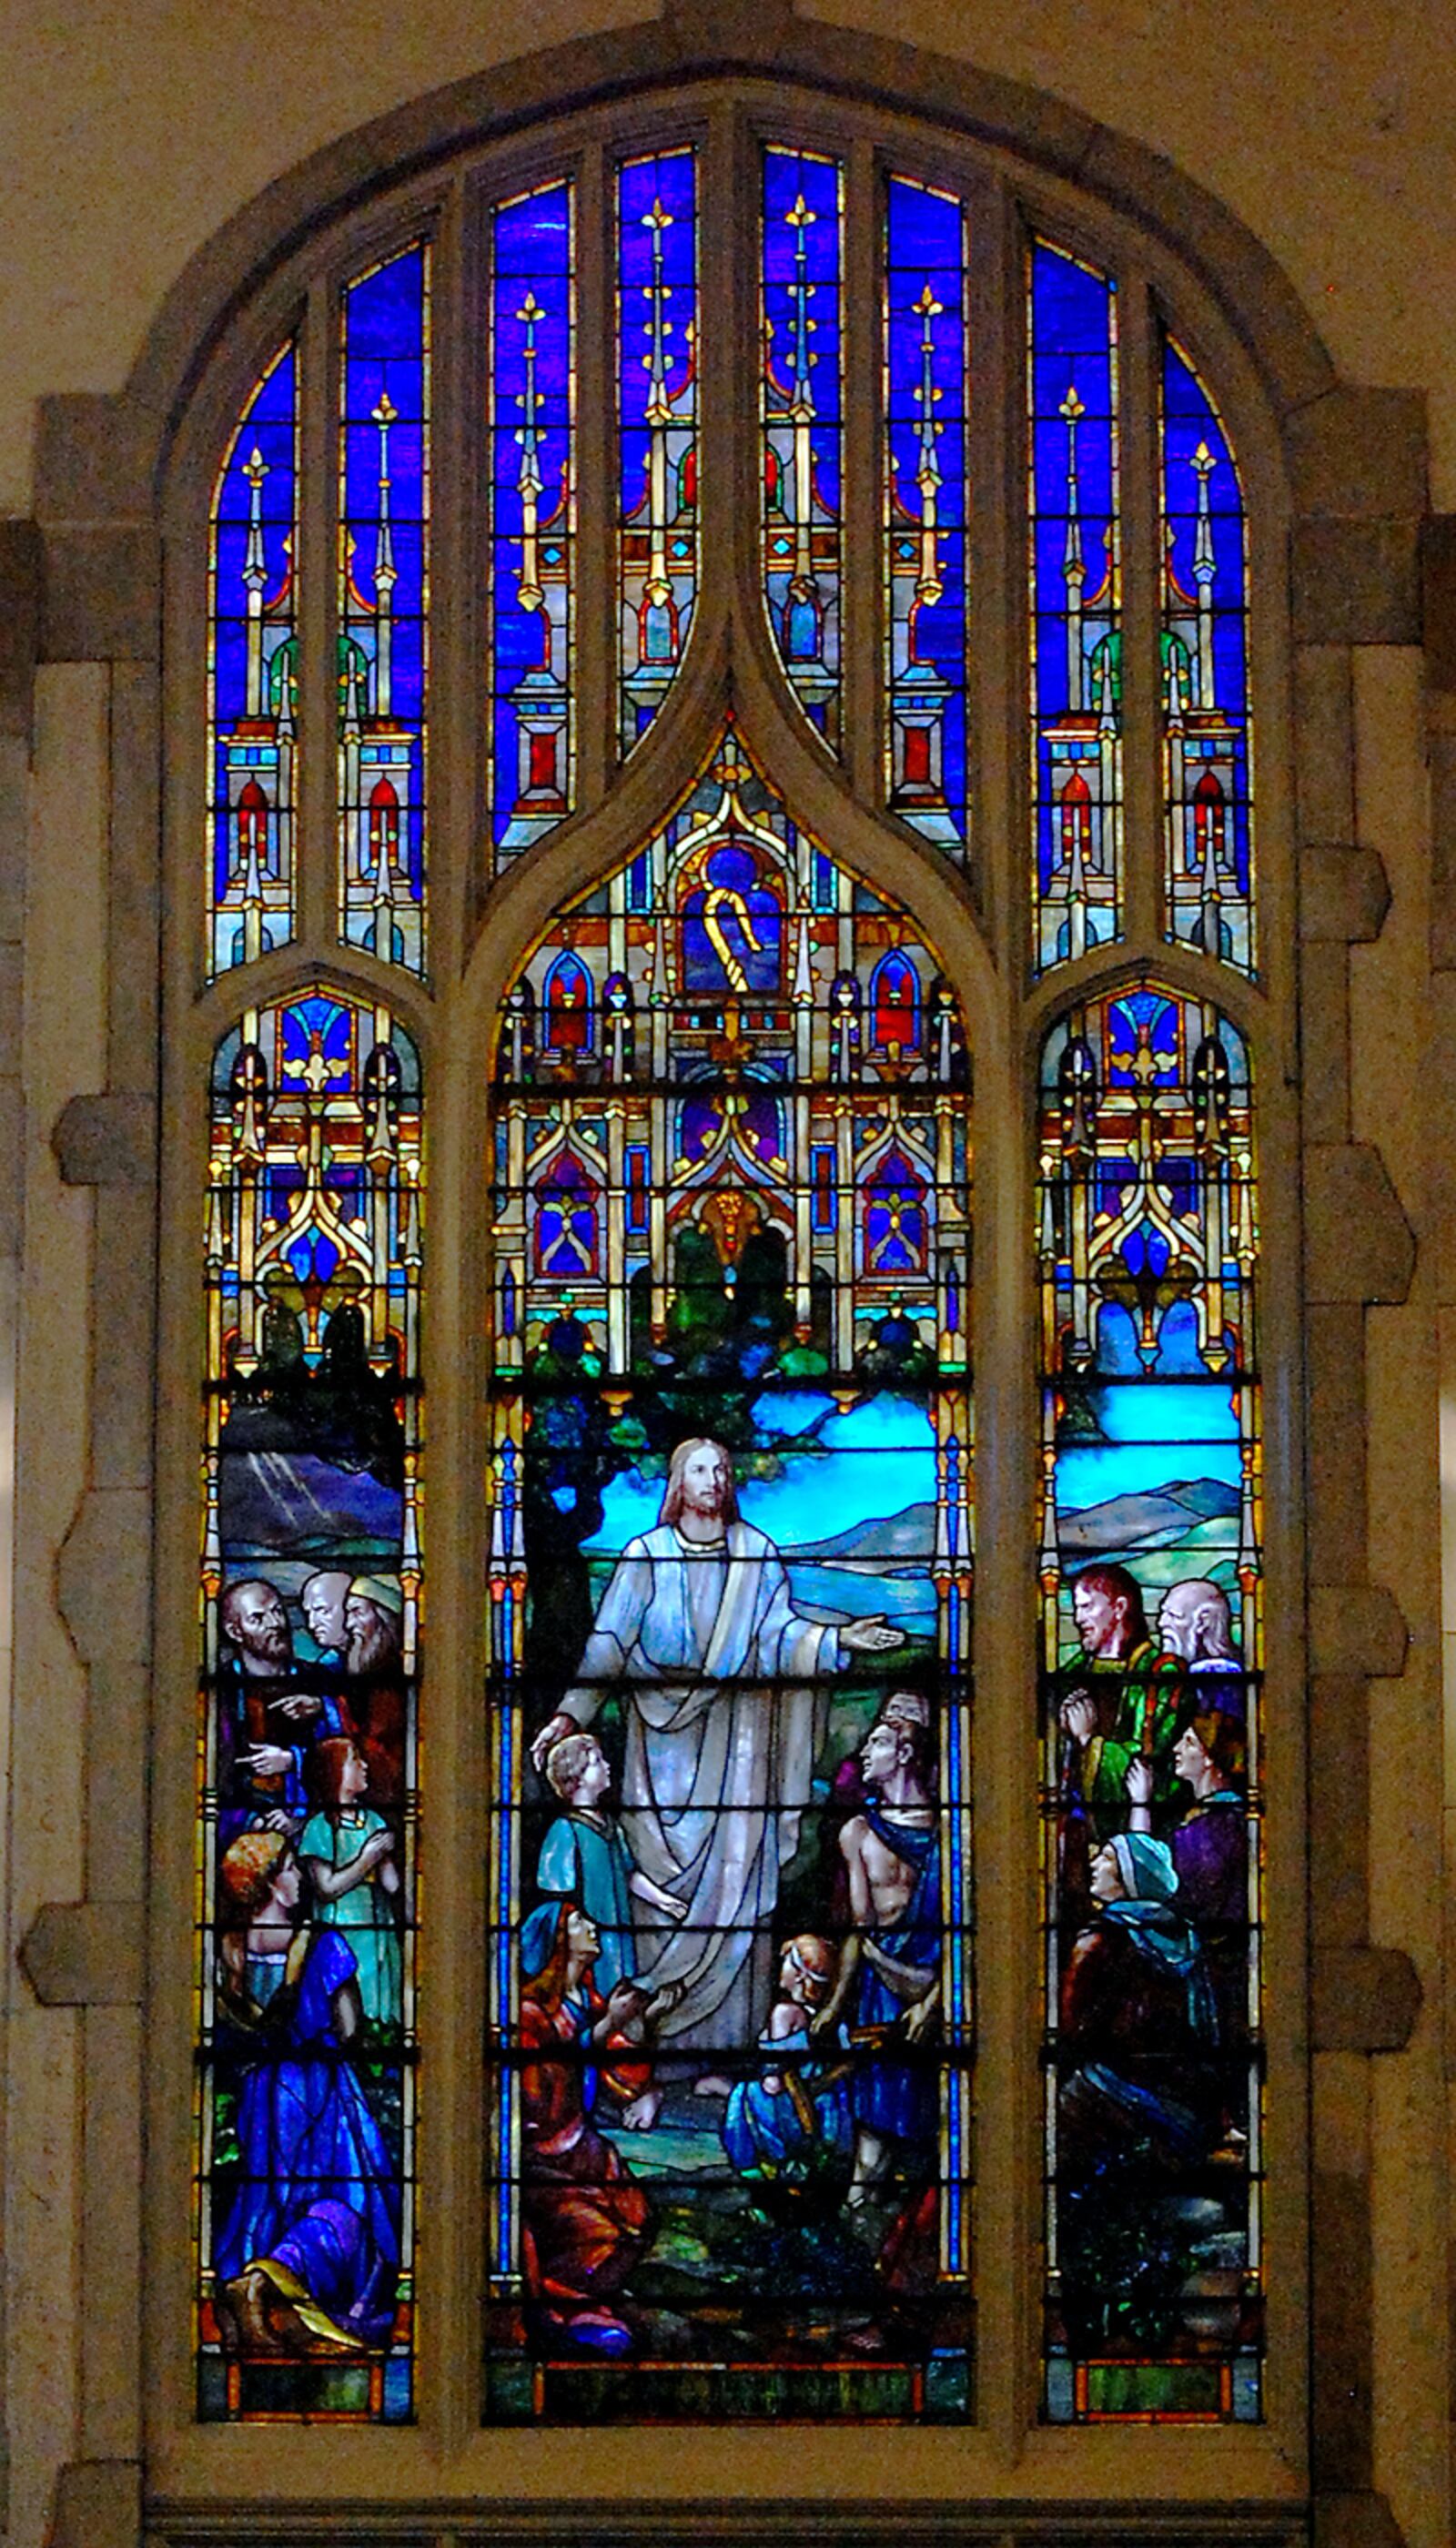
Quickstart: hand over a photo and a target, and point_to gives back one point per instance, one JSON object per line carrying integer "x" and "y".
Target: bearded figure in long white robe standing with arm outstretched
{"x": 718, "y": 1675}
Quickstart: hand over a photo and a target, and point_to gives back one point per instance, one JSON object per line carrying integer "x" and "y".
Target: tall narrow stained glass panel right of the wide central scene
{"x": 1151, "y": 1714}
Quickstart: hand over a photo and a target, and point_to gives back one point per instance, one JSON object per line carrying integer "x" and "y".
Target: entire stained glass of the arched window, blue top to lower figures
{"x": 731, "y": 1171}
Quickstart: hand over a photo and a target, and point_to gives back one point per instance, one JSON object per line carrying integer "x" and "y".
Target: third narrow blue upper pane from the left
{"x": 532, "y": 516}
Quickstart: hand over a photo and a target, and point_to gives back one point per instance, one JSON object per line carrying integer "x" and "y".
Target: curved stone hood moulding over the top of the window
{"x": 116, "y": 445}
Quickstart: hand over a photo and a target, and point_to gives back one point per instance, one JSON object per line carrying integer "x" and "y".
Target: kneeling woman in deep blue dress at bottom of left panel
{"x": 312, "y": 2244}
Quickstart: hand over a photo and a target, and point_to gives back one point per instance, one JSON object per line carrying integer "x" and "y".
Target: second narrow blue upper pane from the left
{"x": 384, "y": 608}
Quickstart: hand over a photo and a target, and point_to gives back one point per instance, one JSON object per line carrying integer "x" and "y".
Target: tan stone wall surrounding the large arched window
{"x": 131, "y": 144}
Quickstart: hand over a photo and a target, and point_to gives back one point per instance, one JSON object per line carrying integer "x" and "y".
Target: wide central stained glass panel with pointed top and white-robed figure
{"x": 731, "y": 1576}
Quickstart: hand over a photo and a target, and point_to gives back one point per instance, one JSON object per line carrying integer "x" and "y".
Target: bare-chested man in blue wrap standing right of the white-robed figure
{"x": 894, "y": 1950}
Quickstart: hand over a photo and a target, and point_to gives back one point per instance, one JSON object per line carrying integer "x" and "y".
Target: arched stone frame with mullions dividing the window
{"x": 1335, "y": 493}
